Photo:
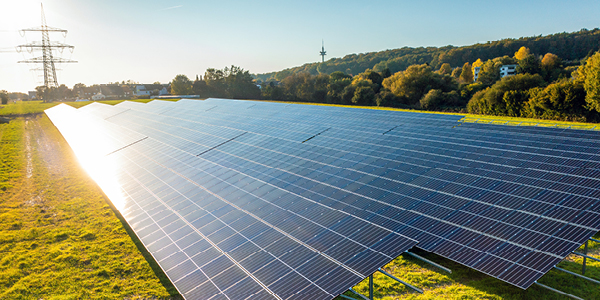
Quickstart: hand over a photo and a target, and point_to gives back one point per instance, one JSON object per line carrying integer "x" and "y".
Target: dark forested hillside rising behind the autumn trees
{"x": 571, "y": 47}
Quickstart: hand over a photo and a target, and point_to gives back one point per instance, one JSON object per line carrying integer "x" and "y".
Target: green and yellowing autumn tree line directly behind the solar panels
{"x": 543, "y": 87}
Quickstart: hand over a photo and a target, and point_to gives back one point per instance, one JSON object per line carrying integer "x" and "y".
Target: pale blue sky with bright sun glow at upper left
{"x": 154, "y": 40}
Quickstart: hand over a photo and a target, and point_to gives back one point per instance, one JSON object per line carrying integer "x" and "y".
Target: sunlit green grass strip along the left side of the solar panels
{"x": 59, "y": 237}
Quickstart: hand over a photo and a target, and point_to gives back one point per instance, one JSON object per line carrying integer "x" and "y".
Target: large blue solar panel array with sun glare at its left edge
{"x": 245, "y": 199}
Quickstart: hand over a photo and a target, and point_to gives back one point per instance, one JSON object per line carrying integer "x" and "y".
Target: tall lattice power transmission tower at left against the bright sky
{"x": 47, "y": 47}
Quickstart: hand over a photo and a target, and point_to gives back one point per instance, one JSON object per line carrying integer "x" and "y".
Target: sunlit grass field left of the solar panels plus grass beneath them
{"x": 60, "y": 238}
